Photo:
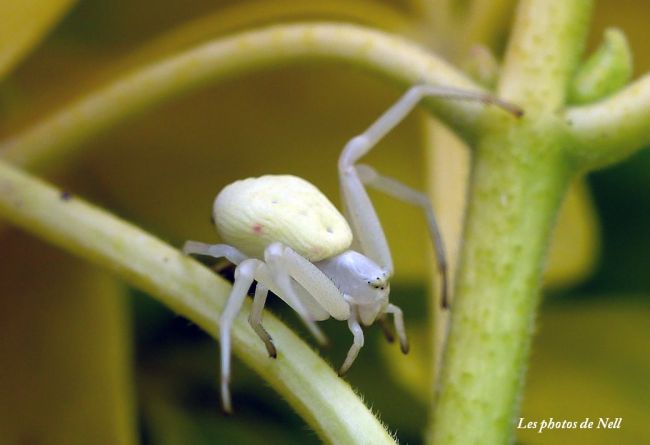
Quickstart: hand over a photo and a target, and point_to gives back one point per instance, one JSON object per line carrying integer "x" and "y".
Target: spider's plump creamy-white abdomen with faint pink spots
{"x": 252, "y": 213}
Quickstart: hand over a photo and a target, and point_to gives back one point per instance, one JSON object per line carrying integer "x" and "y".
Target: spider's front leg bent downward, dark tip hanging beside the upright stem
{"x": 400, "y": 191}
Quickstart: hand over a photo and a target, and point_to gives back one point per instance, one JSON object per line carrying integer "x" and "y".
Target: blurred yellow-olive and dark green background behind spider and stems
{"x": 84, "y": 359}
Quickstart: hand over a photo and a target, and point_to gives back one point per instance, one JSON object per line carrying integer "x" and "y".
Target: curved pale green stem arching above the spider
{"x": 221, "y": 59}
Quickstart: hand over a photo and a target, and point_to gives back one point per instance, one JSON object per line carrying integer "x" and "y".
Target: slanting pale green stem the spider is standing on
{"x": 313, "y": 389}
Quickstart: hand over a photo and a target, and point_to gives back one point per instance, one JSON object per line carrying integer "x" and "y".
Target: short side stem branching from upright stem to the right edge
{"x": 612, "y": 129}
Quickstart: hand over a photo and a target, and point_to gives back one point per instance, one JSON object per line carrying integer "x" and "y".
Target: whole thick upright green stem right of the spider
{"x": 520, "y": 174}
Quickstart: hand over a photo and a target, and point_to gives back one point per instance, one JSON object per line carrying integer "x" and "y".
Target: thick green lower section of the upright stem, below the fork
{"x": 514, "y": 206}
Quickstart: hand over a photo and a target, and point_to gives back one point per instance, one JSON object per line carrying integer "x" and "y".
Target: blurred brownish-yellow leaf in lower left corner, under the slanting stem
{"x": 65, "y": 376}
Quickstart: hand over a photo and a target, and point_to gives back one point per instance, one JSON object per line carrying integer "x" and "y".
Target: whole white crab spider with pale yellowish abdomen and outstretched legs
{"x": 283, "y": 233}
